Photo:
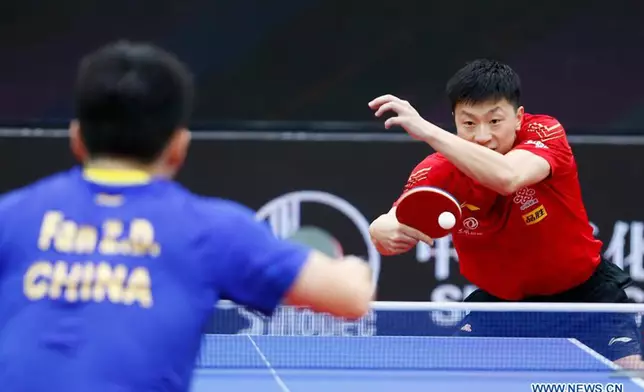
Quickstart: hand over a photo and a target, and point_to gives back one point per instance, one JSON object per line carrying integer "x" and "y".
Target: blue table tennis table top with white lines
{"x": 244, "y": 363}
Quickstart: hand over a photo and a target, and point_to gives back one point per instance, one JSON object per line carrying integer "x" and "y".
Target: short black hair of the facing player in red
{"x": 484, "y": 80}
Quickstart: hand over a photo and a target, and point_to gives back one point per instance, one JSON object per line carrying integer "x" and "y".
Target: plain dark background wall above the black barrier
{"x": 312, "y": 60}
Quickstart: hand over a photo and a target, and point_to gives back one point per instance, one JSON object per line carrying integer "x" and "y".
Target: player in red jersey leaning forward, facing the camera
{"x": 524, "y": 234}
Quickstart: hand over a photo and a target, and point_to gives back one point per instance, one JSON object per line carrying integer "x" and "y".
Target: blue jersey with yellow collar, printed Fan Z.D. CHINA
{"x": 108, "y": 277}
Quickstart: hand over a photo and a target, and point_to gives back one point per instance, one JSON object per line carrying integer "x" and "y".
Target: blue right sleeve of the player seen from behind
{"x": 258, "y": 269}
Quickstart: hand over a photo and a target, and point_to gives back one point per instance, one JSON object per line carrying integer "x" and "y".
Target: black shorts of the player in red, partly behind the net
{"x": 613, "y": 335}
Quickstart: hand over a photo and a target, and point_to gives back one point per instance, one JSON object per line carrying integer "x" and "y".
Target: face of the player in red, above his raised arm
{"x": 491, "y": 124}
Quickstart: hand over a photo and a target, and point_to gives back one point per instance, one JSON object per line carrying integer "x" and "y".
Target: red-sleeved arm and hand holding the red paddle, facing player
{"x": 389, "y": 236}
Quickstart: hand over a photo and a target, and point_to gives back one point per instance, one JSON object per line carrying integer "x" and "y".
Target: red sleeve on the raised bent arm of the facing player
{"x": 545, "y": 136}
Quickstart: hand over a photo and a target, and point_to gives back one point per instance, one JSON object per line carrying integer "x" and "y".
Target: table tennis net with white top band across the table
{"x": 427, "y": 336}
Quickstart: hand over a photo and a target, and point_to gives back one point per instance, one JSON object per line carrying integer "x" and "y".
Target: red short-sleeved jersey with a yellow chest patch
{"x": 537, "y": 241}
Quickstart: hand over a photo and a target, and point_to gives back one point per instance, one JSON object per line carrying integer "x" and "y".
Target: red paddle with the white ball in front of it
{"x": 430, "y": 210}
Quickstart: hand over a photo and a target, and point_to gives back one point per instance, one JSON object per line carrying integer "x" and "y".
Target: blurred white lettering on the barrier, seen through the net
{"x": 304, "y": 322}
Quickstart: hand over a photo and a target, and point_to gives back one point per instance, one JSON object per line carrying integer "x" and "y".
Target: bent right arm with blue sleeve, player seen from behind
{"x": 261, "y": 271}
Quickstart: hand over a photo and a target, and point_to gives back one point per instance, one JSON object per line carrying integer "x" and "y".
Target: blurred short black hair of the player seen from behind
{"x": 130, "y": 98}
